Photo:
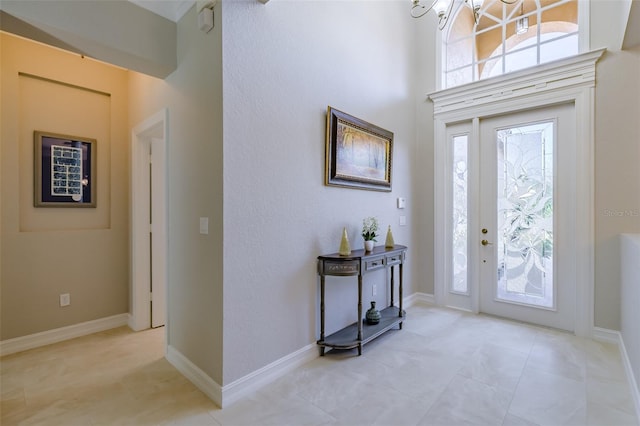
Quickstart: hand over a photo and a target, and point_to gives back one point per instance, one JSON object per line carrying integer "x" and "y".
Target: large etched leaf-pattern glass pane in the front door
{"x": 525, "y": 214}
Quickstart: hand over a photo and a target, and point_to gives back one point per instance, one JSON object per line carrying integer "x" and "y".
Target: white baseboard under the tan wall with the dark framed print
{"x": 48, "y": 337}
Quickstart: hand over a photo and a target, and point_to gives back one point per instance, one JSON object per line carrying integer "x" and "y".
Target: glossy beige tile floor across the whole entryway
{"x": 444, "y": 368}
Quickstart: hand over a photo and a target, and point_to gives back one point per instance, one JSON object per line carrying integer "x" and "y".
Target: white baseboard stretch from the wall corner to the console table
{"x": 252, "y": 381}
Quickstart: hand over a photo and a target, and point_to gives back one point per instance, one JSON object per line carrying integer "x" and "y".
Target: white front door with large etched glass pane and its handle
{"x": 526, "y": 236}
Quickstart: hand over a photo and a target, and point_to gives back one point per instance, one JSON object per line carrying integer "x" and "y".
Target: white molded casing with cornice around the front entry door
{"x": 564, "y": 81}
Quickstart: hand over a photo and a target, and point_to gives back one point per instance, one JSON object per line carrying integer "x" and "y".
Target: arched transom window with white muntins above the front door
{"x": 507, "y": 37}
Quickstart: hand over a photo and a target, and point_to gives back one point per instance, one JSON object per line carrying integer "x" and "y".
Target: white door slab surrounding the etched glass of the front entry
{"x": 560, "y": 315}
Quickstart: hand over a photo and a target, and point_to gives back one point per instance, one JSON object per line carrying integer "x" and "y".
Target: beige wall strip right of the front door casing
{"x": 617, "y": 175}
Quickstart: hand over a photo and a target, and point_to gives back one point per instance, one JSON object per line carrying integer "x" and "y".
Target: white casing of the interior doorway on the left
{"x": 153, "y": 130}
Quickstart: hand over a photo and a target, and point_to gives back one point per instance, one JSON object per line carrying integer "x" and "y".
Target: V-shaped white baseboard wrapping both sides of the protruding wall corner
{"x": 234, "y": 391}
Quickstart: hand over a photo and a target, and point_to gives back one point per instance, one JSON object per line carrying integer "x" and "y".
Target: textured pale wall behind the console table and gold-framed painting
{"x": 284, "y": 63}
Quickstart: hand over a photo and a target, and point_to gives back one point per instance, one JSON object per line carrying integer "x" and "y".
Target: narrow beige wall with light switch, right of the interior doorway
{"x": 193, "y": 96}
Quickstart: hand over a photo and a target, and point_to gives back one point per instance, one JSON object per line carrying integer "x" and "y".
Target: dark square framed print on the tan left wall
{"x": 65, "y": 170}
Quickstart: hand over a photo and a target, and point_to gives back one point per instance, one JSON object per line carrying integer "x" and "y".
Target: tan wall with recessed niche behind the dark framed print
{"x": 48, "y": 251}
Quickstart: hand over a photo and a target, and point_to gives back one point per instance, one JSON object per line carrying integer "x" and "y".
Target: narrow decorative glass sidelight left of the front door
{"x": 459, "y": 220}
